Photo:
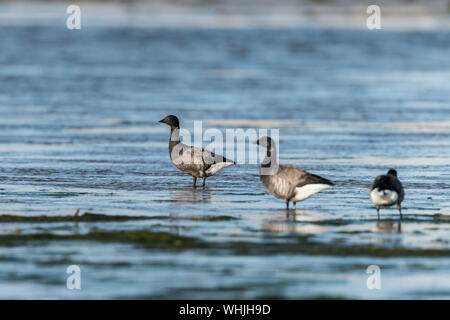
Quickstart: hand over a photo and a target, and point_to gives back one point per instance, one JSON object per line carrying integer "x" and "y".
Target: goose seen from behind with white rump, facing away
{"x": 387, "y": 190}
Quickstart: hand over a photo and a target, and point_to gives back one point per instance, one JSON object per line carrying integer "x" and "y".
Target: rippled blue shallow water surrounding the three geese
{"x": 79, "y": 130}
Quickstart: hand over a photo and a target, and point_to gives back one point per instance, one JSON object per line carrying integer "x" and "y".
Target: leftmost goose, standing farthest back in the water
{"x": 199, "y": 163}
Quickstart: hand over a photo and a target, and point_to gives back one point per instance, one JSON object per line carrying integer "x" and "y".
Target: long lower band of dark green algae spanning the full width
{"x": 303, "y": 244}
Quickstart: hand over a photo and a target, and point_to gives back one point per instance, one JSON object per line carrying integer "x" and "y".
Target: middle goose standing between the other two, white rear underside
{"x": 287, "y": 182}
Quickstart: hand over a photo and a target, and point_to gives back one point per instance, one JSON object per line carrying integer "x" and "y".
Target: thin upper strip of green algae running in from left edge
{"x": 97, "y": 217}
